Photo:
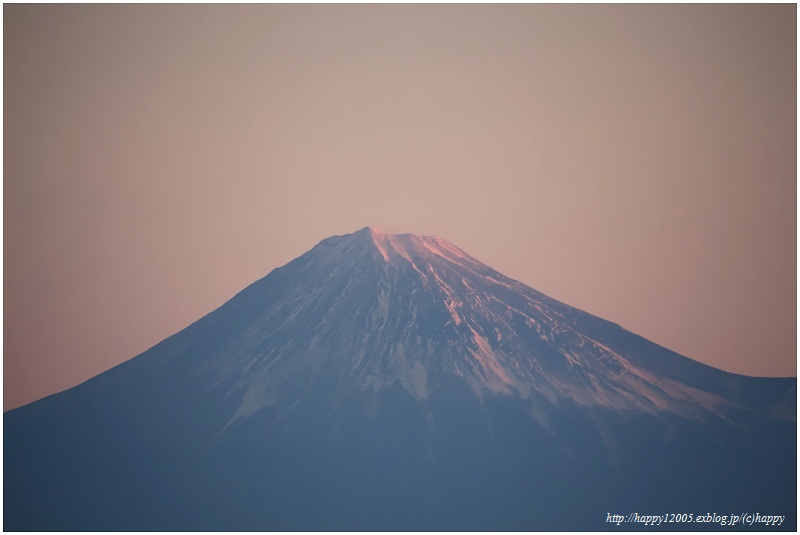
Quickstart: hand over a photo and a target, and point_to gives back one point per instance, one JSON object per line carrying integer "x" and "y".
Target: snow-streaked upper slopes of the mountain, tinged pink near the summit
{"x": 388, "y": 307}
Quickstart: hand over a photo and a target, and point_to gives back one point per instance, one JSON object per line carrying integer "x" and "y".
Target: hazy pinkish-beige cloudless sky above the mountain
{"x": 637, "y": 162}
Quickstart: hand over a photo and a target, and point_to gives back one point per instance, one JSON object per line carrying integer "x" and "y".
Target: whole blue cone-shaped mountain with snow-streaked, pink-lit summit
{"x": 394, "y": 382}
